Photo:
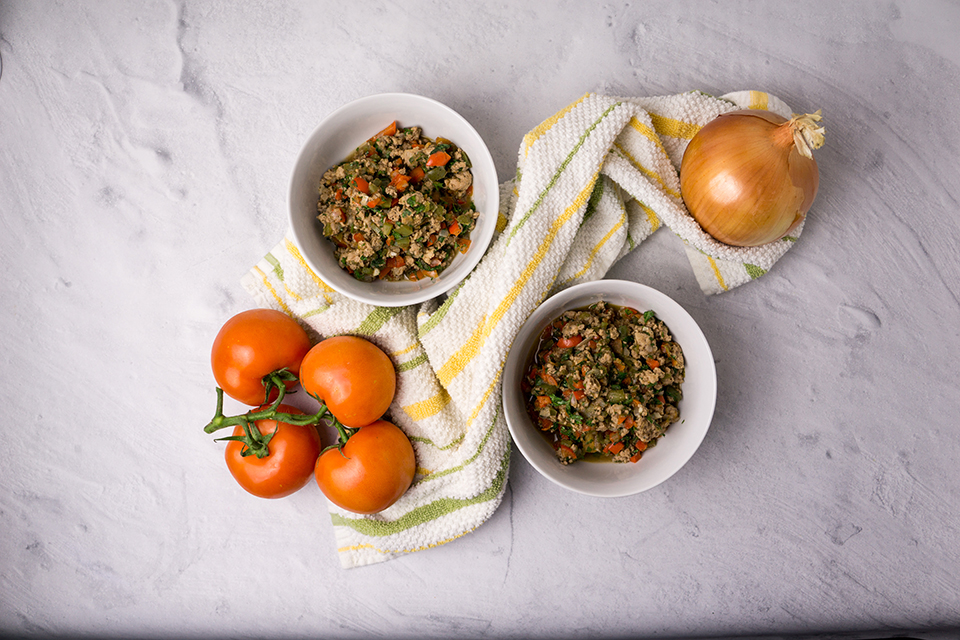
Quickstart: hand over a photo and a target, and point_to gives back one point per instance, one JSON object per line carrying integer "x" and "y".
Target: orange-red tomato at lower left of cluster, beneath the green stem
{"x": 294, "y": 450}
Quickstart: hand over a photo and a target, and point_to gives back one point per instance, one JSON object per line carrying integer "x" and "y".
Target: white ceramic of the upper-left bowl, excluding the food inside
{"x": 342, "y": 132}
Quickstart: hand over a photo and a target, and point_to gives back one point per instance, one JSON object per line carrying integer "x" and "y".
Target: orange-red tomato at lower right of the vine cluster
{"x": 375, "y": 467}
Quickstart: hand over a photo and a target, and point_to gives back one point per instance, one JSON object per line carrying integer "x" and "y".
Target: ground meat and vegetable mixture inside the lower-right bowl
{"x": 605, "y": 380}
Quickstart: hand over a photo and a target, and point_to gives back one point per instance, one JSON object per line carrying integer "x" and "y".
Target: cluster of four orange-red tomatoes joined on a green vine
{"x": 257, "y": 358}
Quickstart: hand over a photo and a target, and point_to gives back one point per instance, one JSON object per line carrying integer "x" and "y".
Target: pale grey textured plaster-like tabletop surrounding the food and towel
{"x": 144, "y": 155}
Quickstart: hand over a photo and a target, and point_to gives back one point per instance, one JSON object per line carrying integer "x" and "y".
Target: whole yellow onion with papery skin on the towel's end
{"x": 749, "y": 177}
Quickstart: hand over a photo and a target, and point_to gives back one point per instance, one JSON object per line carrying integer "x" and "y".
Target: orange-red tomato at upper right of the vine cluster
{"x": 353, "y": 377}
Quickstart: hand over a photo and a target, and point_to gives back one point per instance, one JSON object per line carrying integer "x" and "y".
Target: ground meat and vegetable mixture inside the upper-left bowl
{"x": 400, "y": 208}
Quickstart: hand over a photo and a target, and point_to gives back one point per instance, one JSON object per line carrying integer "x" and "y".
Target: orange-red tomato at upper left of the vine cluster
{"x": 253, "y": 344}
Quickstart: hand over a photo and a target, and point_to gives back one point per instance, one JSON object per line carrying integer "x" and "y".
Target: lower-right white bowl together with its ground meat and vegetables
{"x": 609, "y": 388}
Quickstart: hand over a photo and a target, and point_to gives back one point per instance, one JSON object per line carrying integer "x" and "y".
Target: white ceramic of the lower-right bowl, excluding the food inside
{"x": 682, "y": 438}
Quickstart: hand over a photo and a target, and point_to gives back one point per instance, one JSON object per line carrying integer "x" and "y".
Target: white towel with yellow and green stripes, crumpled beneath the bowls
{"x": 592, "y": 182}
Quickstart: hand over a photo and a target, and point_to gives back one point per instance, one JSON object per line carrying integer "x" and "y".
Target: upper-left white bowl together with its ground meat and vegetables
{"x": 393, "y": 199}
